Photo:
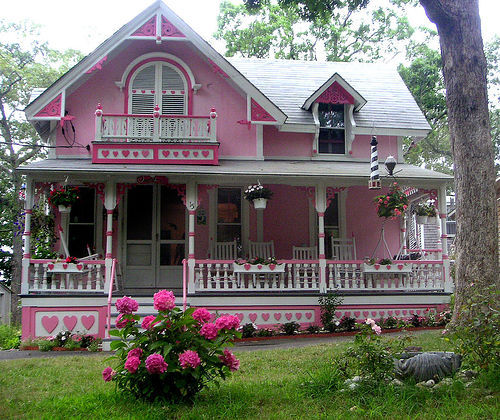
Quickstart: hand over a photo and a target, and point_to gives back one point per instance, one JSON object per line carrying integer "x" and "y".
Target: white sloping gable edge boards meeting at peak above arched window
{"x": 130, "y": 31}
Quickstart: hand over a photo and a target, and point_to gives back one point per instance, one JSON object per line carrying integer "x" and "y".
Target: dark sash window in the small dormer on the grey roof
{"x": 332, "y": 128}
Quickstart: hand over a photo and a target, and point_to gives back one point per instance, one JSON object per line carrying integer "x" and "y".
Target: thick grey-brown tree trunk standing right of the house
{"x": 464, "y": 69}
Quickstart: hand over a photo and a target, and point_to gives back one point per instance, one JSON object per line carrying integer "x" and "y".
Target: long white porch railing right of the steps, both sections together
{"x": 301, "y": 275}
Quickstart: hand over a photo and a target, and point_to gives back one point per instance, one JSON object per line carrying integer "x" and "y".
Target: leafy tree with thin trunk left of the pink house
{"x": 24, "y": 64}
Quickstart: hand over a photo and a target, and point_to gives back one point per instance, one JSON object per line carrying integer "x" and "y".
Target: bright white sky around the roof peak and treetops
{"x": 83, "y": 25}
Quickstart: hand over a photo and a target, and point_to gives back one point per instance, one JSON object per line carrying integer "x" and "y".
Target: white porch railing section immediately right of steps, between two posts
{"x": 218, "y": 276}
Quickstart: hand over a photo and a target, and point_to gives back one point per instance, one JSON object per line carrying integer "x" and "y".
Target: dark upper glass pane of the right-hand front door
{"x": 173, "y": 215}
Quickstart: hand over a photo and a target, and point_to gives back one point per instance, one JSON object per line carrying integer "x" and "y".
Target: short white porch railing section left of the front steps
{"x": 51, "y": 276}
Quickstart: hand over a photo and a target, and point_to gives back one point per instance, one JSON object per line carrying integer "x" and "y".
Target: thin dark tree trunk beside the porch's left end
{"x": 17, "y": 248}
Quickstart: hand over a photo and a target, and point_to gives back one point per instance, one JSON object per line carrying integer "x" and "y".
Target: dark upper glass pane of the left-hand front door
{"x": 140, "y": 213}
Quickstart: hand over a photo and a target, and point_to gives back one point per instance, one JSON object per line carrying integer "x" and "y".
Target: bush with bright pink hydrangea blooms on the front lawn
{"x": 173, "y": 355}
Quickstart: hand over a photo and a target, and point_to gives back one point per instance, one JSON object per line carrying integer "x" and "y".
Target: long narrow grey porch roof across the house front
{"x": 268, "y": 170}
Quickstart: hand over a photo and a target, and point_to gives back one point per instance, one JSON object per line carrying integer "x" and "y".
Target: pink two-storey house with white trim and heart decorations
{"x": 163, "y": 135}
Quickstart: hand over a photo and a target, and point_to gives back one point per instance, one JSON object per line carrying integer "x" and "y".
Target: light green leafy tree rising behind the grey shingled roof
{"x": 263, "y": 28}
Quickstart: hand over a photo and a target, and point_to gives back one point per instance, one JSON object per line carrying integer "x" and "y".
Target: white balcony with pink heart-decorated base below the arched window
{"x": 155, "y": 138}
